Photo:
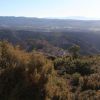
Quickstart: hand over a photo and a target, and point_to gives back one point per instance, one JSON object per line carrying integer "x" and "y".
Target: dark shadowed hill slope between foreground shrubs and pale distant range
{"x": 54, "y": 43}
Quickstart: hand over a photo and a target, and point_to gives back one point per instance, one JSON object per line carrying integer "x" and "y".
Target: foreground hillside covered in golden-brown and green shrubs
{"x": 32, "y": 75}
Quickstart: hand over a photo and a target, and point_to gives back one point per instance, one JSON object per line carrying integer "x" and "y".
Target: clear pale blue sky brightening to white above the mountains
{"x": 50, "y": 8}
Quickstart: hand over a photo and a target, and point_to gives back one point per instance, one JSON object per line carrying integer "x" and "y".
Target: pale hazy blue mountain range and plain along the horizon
{"x": 42, "y": 24}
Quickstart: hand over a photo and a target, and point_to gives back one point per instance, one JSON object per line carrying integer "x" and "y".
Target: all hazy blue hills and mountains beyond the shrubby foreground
{"x": 51, "y": 36}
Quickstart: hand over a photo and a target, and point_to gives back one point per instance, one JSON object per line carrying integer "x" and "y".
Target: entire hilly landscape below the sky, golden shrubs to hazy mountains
{"x": 40, "y": 59}
